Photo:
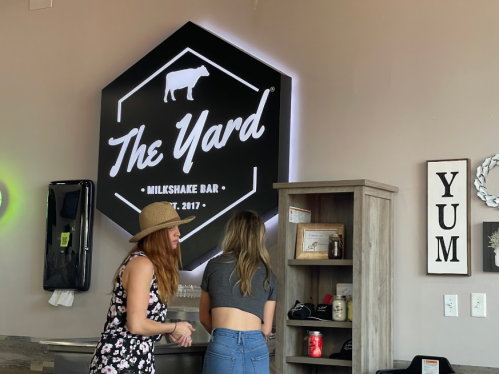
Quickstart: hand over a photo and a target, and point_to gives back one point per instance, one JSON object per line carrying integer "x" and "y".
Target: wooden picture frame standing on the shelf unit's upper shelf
{"x": 312, "y": 239}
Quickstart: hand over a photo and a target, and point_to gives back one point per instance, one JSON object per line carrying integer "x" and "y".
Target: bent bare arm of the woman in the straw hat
{"x": 137, "y": 279}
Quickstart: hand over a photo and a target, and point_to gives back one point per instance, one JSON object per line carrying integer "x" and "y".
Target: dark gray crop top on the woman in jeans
{"x": 223, "y": 293}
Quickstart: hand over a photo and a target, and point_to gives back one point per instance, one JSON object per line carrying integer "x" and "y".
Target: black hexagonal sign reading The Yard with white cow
{"x": 200, "y": 123}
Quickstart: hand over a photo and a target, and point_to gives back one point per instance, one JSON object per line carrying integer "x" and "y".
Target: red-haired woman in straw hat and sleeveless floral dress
{"x": 144, "y": 282}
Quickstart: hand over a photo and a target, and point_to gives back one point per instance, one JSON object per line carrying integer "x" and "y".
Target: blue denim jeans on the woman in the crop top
{"x": 236, "y": 352}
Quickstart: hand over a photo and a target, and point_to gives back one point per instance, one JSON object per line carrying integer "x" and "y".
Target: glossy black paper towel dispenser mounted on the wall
{"x": 68, "y": 243}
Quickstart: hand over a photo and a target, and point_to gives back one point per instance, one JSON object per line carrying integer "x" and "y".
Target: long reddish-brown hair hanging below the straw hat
{"x": 165, "y": 259}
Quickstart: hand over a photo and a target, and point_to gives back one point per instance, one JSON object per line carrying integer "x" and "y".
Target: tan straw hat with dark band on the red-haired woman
{"x": 157, "y": 216}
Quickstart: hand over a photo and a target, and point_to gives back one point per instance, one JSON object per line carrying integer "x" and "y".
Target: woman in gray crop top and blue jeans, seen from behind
{"x": 238, "y": 299}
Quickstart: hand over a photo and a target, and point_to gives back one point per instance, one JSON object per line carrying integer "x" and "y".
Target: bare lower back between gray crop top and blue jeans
{"x": 234, "y": 319}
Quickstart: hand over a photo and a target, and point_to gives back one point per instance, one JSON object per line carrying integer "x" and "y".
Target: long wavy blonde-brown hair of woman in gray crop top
{"x": 245, "y": 238}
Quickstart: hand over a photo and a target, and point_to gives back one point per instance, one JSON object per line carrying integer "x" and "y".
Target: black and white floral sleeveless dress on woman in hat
{"x": 120, "y": 351}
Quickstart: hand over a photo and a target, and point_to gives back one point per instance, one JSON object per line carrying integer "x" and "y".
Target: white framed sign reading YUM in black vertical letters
{"x": 448, "y": 217}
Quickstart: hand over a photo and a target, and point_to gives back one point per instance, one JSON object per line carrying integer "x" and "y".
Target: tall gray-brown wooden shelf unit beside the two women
{"x": 366, "y": 209}
